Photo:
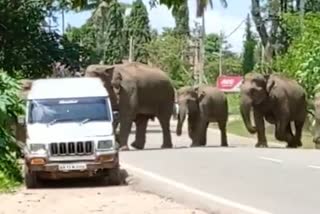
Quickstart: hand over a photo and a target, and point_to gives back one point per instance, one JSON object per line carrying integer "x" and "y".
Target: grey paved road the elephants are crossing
{"x": 241, "y": 177}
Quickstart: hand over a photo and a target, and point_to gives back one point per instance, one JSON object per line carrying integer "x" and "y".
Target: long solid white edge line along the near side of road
{"x": 213, "y": 198}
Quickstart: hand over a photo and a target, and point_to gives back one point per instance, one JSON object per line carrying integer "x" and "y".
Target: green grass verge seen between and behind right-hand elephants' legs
{"x": 237, "y": 127}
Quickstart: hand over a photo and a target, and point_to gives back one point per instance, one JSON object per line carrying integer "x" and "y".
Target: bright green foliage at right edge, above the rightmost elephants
{"x": 302, "y": 60}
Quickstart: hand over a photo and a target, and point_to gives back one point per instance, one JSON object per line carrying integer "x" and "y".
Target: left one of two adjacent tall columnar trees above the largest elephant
{"x": 114, "y": 39}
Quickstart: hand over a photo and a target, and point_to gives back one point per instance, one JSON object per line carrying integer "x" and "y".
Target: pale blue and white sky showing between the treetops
{"x": 217, "y": 19}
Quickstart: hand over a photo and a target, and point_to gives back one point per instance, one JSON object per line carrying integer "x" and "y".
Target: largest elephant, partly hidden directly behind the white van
{"x": 141, "y": 92}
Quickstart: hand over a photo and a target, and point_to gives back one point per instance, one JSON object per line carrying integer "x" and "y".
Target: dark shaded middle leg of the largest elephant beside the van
{"x": 141, "y": 123}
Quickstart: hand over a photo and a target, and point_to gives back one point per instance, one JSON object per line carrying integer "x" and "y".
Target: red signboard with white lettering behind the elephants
{"x": 229, "y": 83}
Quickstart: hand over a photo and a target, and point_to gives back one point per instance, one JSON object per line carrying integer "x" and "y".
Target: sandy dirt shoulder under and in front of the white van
{"x": 88, "y": 199}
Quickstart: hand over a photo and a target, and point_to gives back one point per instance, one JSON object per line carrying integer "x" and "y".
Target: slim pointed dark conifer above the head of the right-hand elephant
{"x": 248, "y": 60}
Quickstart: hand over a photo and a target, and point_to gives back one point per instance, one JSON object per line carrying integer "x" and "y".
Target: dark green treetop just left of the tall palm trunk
{"x": 181, "y": 16}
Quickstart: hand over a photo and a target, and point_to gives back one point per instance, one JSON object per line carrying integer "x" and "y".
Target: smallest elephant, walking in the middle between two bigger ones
{"x": 203, "y": 104}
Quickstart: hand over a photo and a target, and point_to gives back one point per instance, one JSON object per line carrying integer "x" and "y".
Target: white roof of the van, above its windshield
{"x": 67, "y": 88}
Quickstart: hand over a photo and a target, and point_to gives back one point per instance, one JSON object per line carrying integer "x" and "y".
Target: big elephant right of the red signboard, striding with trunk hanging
{"x": 279, "y": 101}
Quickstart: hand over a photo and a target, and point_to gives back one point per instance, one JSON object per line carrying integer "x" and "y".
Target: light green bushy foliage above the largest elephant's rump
{"x": 168, "y": 53}
